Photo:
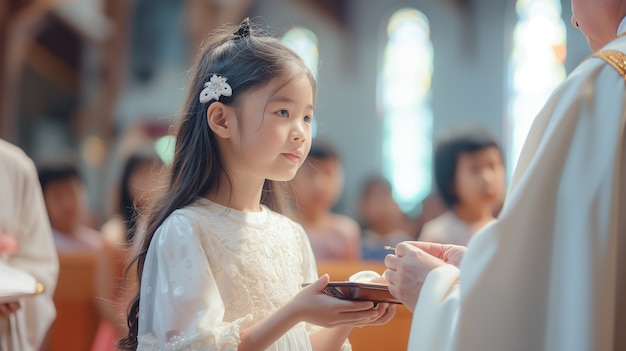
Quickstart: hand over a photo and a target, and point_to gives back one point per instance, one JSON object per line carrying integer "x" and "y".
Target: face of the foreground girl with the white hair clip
{"x": 273, "y": 135}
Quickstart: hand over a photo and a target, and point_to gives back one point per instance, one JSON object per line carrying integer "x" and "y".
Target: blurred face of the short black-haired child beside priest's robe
{"x": 480, "y": 178}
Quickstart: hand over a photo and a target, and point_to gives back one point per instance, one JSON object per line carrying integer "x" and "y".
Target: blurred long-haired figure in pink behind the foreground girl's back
{"x": 137, "y": 186}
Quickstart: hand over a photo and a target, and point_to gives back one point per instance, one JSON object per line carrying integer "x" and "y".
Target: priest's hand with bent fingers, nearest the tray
{"x": 407, "y": 271}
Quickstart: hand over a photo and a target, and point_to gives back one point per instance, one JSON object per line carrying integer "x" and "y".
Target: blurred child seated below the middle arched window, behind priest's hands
{"x": 382, "y": 220}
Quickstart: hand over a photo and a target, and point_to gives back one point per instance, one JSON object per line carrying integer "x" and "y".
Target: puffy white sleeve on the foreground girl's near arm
{"x": 181, "y": 307}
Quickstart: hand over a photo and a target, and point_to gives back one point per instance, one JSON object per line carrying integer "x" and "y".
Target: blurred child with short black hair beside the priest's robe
{"x": 470, "y": 177}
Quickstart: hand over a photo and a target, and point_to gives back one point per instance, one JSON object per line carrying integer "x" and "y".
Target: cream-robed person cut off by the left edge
{"x": 24, "y": 225}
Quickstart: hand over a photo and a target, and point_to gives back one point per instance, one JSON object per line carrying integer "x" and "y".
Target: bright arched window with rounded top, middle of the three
{"x": 405, "y": 81}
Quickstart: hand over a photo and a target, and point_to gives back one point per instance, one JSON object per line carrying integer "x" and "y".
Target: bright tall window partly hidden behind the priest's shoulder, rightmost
{"x": 535, "y": 69}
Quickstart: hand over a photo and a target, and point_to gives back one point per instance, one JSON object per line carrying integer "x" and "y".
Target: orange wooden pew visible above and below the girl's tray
{"x": 391, "y": 336}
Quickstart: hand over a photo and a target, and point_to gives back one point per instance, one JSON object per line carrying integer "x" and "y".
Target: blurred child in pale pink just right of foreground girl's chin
{"x": 317, "y": 187}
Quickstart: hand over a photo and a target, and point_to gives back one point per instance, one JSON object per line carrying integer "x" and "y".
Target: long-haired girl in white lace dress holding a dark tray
{"x": 218, "y": 268}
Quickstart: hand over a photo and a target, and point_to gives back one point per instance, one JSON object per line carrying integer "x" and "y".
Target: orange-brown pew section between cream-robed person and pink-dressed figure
{"x": 77, "y": 316}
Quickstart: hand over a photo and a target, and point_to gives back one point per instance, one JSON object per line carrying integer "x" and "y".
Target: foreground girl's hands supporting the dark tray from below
{"x": 313, "y": 306}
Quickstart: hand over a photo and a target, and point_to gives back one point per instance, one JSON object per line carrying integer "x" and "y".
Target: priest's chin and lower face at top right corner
{"x": 597, "y": 19}
